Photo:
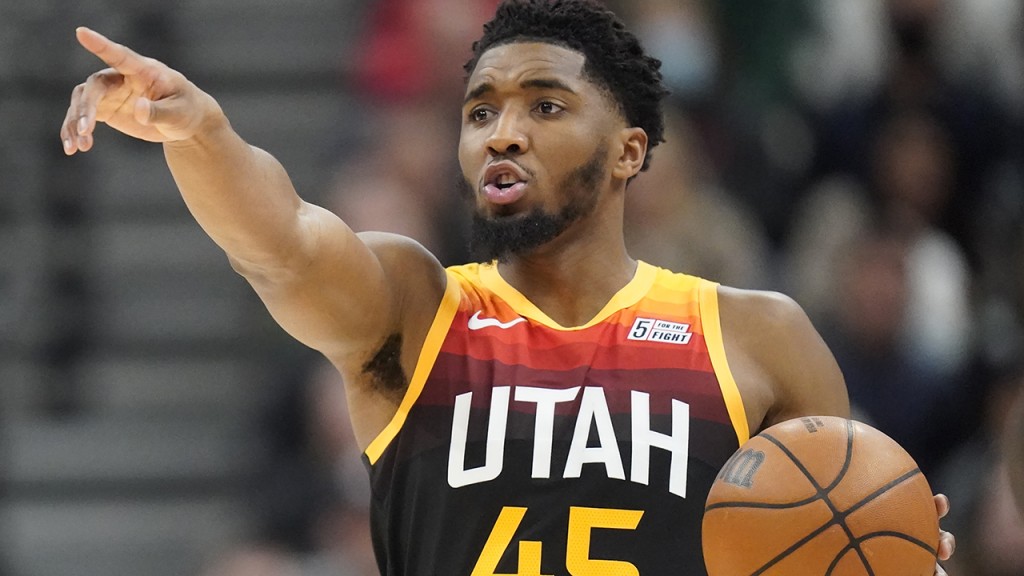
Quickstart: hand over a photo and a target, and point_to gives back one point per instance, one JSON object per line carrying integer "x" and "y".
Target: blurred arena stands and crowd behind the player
{"x": 866, "y": 157}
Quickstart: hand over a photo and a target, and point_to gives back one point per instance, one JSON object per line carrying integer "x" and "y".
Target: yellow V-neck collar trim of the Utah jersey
{"x": 626, "y": 298}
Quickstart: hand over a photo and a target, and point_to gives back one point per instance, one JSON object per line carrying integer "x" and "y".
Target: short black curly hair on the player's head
{"x": 615, "y": 59}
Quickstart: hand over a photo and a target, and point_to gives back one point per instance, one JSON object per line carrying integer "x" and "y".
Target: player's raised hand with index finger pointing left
{"x": 138, "y": 96}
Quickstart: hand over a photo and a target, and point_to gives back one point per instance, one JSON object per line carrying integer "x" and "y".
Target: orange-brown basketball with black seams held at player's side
{"x": 821, "y": 497}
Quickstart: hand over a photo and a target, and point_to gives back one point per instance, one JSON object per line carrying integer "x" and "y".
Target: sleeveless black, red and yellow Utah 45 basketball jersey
{"x": 524, "y": 447}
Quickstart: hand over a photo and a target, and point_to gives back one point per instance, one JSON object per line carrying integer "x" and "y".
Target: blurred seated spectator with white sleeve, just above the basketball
{"x": 892, "y": 290}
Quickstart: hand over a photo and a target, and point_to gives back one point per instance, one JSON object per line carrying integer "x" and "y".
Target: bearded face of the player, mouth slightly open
{"x": 535, "y": 146}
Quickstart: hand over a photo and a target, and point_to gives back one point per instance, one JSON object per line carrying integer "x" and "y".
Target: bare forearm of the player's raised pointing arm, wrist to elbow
{"x": 240, "y": 195}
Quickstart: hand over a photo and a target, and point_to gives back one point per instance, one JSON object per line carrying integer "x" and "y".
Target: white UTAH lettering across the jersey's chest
{"x": 593, "y": 415}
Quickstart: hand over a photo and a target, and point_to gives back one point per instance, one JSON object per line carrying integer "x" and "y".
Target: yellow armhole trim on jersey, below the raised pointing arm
{"x": 425, "y": 363}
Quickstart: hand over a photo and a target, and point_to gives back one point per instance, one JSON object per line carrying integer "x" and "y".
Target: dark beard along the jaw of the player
{"x": 501, "y": 237}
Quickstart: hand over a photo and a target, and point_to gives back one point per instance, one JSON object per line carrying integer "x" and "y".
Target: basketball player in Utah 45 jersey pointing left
{"x": 561, "y": 408}
